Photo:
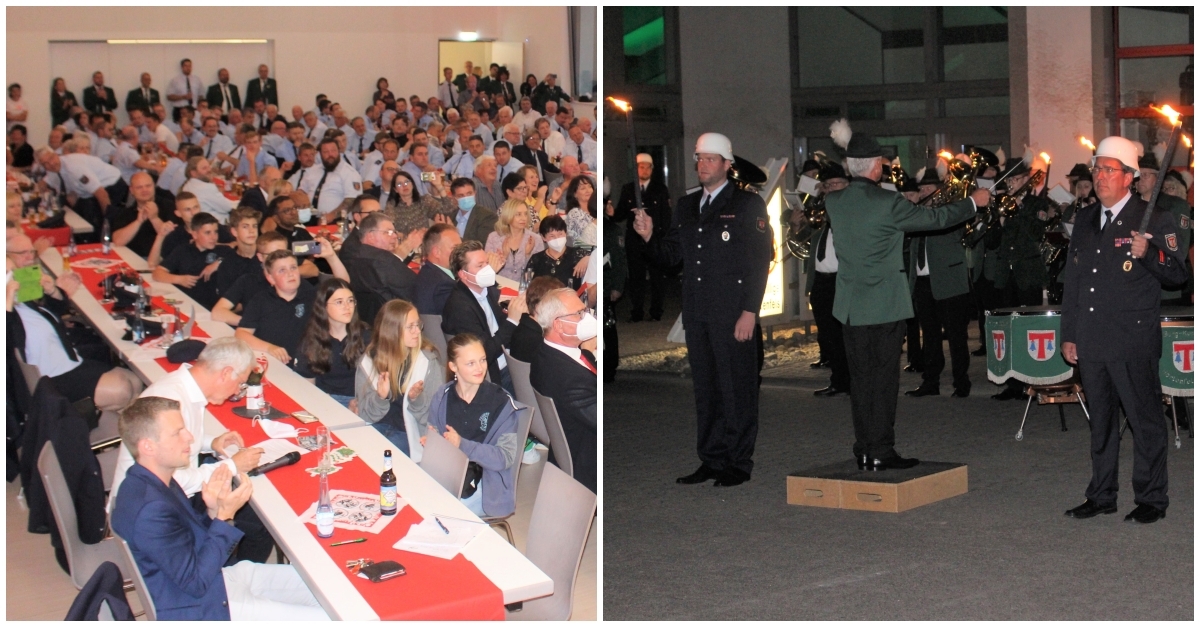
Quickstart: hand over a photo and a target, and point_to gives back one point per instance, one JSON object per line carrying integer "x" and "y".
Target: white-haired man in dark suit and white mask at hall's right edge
{"x": 568, "y": 375}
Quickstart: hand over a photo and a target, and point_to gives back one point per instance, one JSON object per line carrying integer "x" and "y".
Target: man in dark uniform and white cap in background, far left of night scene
{"x": 657, "y": 202}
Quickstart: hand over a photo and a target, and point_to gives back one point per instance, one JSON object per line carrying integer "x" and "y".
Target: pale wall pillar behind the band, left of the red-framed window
{"x": 1060, "y": 86}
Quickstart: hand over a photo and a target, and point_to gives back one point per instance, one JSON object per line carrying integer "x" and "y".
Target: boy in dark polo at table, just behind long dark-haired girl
{"x": 274, "y": 321}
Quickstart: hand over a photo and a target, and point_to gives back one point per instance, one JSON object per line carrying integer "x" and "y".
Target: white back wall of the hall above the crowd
{"x": 339, "y": 52}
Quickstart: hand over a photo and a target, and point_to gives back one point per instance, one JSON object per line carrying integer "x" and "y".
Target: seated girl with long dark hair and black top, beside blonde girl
{"x": 333, "y": 342}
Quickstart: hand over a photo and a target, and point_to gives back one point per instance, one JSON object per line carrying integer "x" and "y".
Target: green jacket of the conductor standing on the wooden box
{"x": 869, "y": 225}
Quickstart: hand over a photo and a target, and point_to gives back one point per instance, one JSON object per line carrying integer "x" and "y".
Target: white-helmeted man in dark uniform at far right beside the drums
{"x": 1111, "y": 327}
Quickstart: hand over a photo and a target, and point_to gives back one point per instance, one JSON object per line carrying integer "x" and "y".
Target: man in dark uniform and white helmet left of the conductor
{"x": 723, "y": 237}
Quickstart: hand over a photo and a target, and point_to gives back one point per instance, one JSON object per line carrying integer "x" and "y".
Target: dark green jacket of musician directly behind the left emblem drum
{"x": 1021, "y": 246}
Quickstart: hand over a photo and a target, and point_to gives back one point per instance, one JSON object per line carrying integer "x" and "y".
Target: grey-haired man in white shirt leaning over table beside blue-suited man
{"x": 219, "y": 373}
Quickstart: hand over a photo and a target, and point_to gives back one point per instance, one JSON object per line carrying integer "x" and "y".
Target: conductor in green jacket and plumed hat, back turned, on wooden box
{"x": 873, "y": 298}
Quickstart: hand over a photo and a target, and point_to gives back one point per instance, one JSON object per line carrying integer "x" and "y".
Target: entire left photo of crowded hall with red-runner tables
{"x": 303, "y": 330}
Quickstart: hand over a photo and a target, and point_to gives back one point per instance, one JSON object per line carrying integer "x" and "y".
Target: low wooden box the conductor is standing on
{"x": 844, "y": 487}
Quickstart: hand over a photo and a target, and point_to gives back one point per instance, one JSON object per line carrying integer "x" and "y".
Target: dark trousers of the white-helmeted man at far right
{"x": 1135, "y": 386}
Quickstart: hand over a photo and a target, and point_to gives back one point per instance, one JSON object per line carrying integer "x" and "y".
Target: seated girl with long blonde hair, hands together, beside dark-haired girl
{"x": 398, "y": 378}
